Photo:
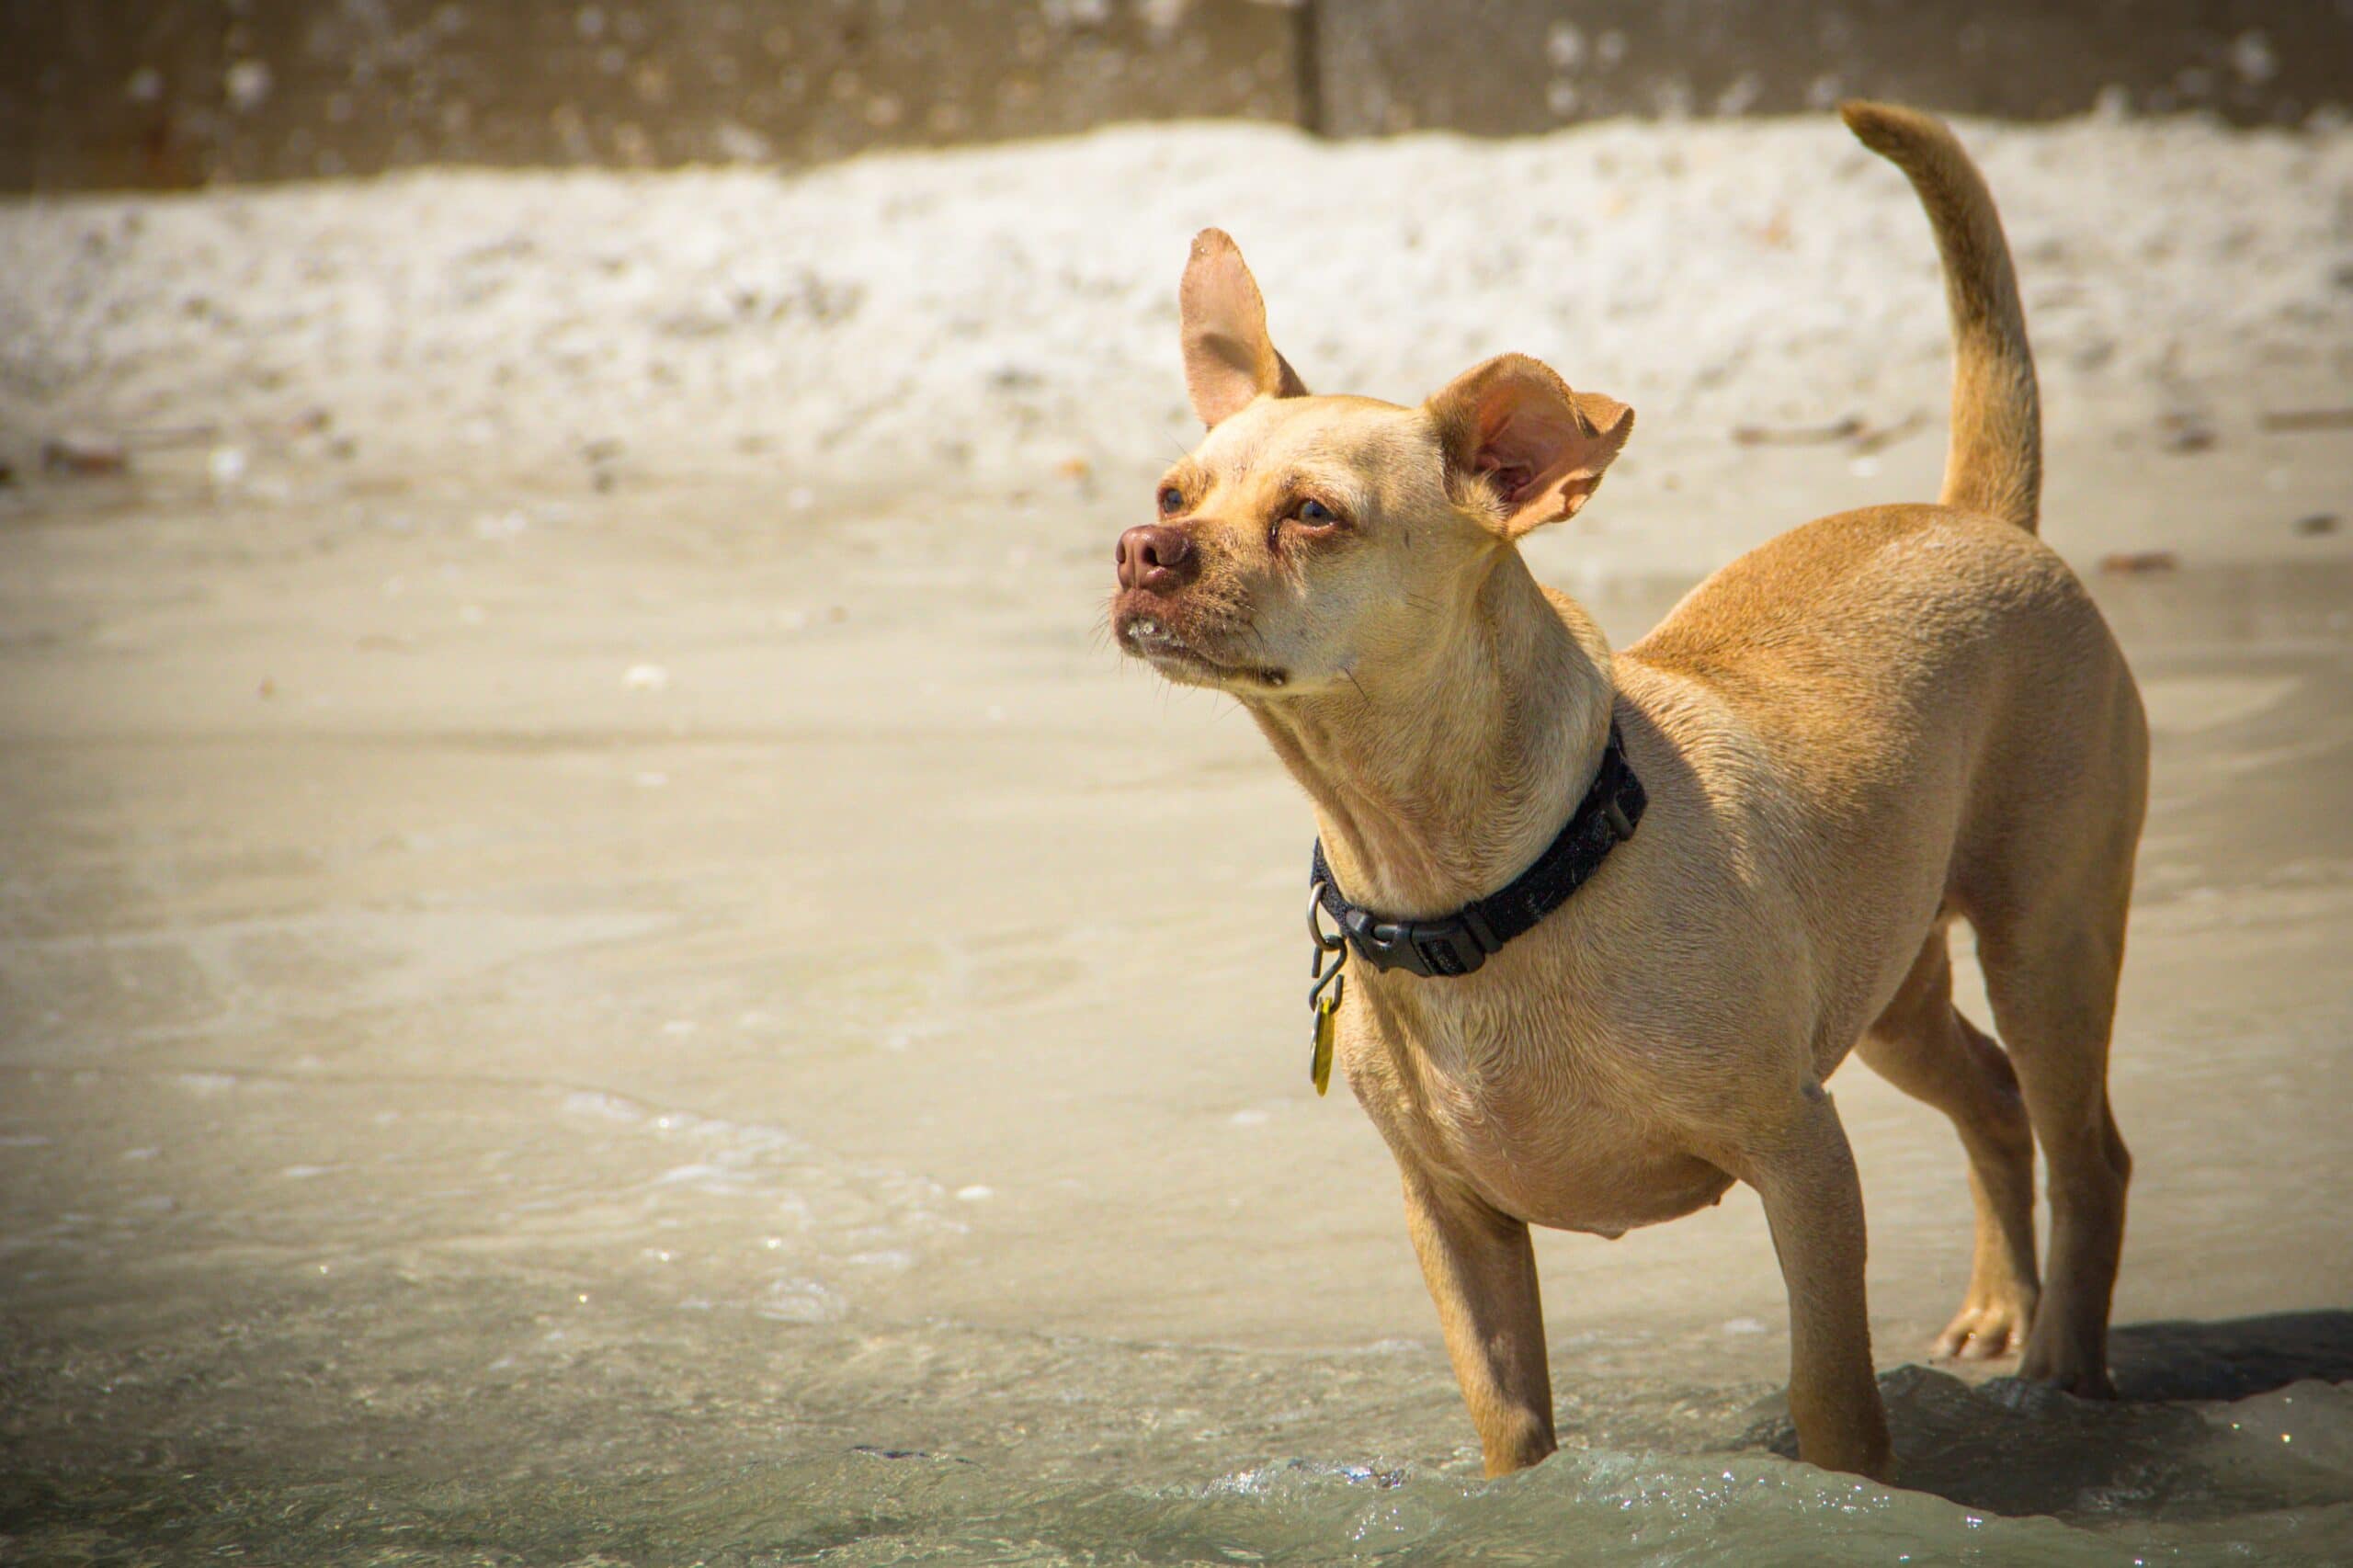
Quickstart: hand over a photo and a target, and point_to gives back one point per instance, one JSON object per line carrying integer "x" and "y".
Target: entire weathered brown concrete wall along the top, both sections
{"x": 173, "y": 93}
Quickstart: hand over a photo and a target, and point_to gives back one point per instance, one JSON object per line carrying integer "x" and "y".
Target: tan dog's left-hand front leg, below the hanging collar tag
{"x": 1484, "y": 1277}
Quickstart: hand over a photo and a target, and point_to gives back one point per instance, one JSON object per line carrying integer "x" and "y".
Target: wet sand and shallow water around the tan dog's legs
{"x": 472, "y": 1103}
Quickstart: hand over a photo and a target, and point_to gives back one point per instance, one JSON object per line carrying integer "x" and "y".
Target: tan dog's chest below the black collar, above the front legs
{"x": 1507, "y": 1103}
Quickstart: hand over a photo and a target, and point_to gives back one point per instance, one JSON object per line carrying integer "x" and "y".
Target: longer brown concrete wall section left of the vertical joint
{"x": 161, "y": 93}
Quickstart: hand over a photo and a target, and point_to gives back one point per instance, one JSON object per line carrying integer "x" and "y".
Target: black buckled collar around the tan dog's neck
{"x": 1462, "y": 941}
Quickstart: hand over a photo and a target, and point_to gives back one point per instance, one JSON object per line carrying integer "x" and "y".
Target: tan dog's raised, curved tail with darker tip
{"x": 1994, "y": 463}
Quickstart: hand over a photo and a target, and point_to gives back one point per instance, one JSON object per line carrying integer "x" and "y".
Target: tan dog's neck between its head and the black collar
{"x": 1441, "y": 780}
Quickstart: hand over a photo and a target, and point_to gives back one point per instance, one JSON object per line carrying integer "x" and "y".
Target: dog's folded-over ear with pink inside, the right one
{"x": 1540, "y": 444}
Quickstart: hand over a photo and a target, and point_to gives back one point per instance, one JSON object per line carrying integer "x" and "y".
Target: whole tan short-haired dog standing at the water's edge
{"x": 1851, "y": 738}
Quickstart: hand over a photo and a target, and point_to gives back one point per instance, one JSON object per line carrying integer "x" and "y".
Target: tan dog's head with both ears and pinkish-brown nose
{"x": 1307, "y": 538}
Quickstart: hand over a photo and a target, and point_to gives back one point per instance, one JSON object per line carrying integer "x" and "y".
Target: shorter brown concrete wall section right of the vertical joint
{"x": 1502, "y": 67}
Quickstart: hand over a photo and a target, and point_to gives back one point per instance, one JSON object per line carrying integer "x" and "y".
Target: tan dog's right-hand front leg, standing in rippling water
{"x": 1815, "y": 1209}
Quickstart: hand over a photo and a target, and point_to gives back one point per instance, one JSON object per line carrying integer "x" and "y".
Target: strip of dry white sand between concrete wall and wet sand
{"x": 978, "y": 319}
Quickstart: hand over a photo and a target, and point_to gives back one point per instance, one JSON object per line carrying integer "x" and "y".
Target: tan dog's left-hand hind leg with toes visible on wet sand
{"x": 1931, "y": 1051}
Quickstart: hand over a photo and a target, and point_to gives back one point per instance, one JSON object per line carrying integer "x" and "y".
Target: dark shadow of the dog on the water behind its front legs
{"x": 2027, "y": 1449}
